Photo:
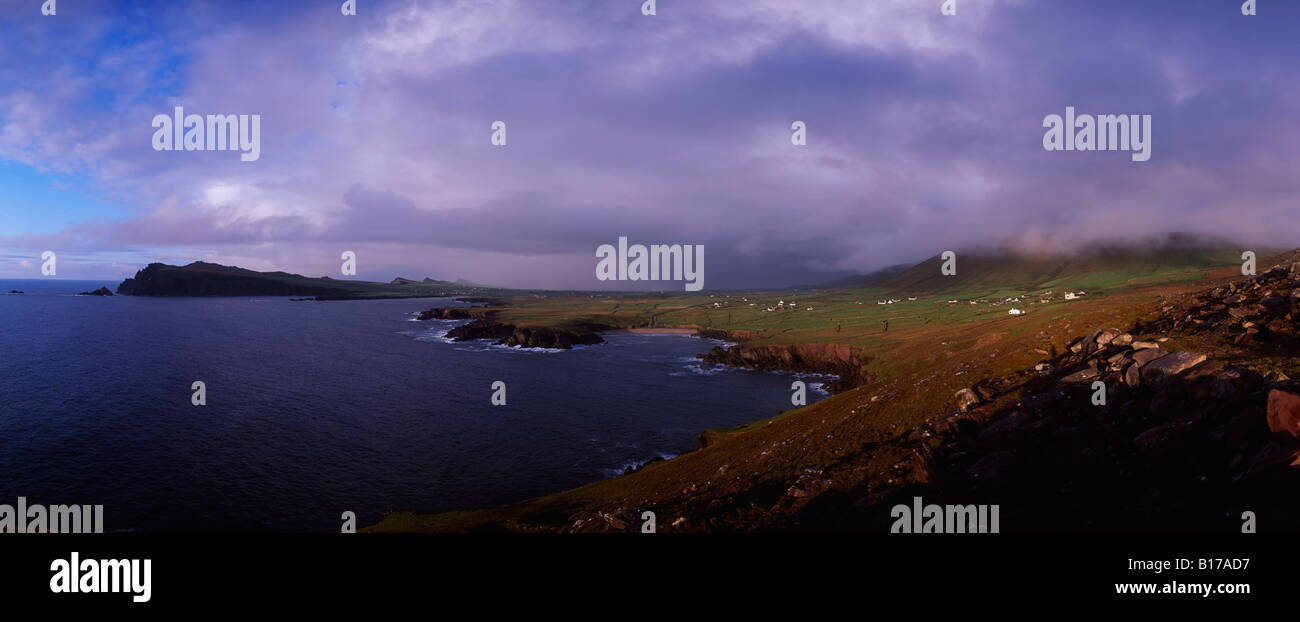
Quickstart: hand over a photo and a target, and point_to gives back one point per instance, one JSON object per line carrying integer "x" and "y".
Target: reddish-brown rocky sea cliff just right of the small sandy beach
{"x": 842, "y": 361}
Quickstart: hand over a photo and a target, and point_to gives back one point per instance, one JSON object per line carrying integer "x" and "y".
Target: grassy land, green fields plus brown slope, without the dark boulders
{"x": 762, "y": 476}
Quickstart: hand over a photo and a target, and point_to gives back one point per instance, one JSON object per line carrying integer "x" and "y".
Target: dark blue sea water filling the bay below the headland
{"x": 318, "y": 408}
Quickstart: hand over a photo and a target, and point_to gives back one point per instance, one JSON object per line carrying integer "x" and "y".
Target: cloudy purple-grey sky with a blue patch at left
{"x": 924, "y": 133}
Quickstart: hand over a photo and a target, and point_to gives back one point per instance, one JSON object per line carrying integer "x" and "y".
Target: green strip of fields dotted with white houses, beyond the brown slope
{"x": 855, "y": 317}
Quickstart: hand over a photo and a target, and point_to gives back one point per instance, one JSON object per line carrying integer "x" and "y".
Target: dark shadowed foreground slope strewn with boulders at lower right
{"x": 1124, "y": 431}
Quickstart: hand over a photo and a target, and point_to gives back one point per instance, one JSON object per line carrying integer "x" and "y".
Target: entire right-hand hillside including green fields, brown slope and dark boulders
{"x": 968, "y": 405}
